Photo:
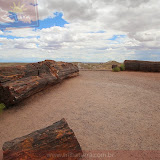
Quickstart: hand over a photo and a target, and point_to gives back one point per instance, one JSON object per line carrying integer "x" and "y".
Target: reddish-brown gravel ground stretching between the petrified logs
{"x": 106, "y": 110}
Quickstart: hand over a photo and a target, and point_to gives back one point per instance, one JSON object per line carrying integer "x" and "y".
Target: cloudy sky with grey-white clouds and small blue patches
{"x": 84, "y": 30}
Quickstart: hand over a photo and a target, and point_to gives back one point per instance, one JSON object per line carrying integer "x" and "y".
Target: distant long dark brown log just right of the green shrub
{"x": 145, "y": 66}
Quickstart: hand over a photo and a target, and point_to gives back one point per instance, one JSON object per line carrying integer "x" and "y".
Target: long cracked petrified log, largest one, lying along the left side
{"x": 20, "y": 82}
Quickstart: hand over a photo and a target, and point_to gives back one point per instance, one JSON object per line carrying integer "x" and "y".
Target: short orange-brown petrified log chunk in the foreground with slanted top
{"x": 56, "y": 142}
